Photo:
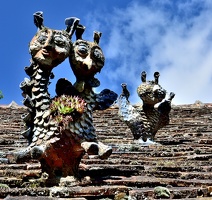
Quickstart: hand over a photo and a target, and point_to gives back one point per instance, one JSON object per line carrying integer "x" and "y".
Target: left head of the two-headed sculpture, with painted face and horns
{"x": 51, "y": 47}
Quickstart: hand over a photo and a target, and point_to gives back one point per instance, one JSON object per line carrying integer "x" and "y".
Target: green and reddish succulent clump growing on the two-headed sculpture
{"x": 65, "y": 109}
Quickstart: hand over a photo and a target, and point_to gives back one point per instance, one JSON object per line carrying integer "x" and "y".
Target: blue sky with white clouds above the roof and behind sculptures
{"x": 172, "y": 37}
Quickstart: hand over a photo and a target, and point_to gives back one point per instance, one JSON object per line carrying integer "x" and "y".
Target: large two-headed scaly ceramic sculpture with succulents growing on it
{"x": 60, "y": 130}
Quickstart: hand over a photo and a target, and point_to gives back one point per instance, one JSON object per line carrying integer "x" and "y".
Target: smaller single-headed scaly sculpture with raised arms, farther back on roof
{"x": 144, "y": 121}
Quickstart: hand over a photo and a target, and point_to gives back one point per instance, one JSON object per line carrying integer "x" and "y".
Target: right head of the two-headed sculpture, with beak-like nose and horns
{"x": 86, "y": 58}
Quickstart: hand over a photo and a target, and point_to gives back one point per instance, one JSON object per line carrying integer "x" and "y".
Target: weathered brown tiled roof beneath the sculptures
{"x": 180, "y": 160}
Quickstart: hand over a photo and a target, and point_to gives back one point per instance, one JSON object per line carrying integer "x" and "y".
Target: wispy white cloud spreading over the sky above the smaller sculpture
{"x": 155, "y": 38}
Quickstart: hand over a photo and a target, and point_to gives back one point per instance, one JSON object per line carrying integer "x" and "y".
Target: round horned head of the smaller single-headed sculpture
{"x": 150, "y": 92}
